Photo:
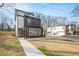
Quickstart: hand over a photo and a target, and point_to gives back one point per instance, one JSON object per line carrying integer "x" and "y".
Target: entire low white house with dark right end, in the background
{"x": 61, "y": 30}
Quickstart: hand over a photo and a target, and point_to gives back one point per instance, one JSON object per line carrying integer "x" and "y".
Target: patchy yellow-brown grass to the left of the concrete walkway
{"x": 10, "y": 45}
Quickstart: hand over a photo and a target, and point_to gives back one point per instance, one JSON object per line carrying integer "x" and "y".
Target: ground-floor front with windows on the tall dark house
{"x": 22, "y": 32}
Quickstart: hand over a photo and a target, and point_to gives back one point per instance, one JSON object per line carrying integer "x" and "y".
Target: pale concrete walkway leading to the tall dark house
{"x": 29, "y": 49}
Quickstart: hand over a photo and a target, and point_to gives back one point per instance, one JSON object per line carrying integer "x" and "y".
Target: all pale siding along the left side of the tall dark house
{"x": 19, "y": 21}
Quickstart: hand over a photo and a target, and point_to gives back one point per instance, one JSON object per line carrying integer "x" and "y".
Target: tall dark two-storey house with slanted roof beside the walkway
{"x": 27, "y": 26}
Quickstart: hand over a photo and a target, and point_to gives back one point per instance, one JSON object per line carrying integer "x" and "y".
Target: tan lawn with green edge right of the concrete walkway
{"x": 57, "y": 47}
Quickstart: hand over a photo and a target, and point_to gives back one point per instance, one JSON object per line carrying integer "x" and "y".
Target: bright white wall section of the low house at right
{"x": 56, "y": 31}
